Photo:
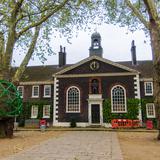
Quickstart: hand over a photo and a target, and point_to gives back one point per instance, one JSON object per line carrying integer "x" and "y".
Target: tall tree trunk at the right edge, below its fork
{"x": 155, "y": 42}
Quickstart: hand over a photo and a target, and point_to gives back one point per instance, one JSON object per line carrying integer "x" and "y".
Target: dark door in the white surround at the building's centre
{"x": 95, "y": 112}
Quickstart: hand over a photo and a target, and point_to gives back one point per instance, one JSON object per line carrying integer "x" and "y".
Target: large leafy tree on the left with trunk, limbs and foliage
{"x": 27, "y": 24}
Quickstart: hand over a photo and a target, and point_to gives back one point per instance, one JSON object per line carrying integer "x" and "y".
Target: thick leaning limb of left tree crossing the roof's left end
{"x": 27, "y": 57}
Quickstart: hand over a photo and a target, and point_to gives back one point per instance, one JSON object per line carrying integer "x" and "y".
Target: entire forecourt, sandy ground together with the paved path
{"x": 80, "y": 145}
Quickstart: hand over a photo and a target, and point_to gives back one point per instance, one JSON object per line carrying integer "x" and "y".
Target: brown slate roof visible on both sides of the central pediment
{"x": 44, "y": 73}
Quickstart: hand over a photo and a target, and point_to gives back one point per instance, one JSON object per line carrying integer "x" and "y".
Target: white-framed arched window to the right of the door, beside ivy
{"x": 118, "y": 99}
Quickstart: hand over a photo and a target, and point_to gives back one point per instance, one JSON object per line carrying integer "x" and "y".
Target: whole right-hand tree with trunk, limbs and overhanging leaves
{"x": 140, "y": 14}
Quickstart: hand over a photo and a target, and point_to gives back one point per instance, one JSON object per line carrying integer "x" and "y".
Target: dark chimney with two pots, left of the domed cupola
{"x": 62, "y": 56}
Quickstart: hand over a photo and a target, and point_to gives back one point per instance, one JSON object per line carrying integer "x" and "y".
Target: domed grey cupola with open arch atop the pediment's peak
{"x": 96, "y": 48}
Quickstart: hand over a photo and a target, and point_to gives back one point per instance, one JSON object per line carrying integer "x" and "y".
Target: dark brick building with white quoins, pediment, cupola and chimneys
{"x": 77, "y": 92}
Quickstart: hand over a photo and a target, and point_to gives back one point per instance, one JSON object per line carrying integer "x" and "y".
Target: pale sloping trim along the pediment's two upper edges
{"x": 97, "y": 58}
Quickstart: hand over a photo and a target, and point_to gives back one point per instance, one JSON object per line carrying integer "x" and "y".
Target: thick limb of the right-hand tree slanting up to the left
{"x": 138, "y": 14}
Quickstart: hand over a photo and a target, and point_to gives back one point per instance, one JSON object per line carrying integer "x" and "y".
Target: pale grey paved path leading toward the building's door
{"x": 75, "y": 145}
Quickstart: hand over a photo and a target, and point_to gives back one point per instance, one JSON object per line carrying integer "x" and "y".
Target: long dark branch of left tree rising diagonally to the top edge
{"x": 56, "y": 9}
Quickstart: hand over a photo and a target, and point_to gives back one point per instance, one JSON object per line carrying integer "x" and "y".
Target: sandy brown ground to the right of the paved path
{"x": 139, "y": 145}
